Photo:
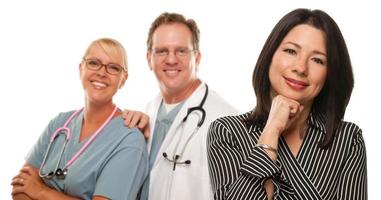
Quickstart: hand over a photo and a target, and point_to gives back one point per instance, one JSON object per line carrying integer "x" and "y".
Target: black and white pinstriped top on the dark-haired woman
{"x": 239, "y": 169}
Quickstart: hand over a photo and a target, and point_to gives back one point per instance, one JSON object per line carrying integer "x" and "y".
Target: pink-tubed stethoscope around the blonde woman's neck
{"x": 58, "y": 172}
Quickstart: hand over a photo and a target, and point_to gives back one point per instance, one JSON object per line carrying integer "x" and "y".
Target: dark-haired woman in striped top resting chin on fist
{"x": 294, "y": 144}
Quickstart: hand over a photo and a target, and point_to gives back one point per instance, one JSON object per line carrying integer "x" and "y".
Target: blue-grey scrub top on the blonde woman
{"x": 114, "y": 165}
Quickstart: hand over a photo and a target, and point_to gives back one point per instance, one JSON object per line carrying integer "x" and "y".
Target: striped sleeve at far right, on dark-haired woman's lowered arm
{"x": 353, "y": 180}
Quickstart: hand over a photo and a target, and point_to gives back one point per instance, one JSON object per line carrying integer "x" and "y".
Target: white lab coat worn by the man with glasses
{"x": 187, "y": 181}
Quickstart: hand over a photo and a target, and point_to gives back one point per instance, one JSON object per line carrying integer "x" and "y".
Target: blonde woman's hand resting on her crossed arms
{"x": 28, "y": 182}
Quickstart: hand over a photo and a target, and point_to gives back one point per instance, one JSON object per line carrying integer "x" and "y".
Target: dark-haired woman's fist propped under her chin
{"x": 283, "y": 113}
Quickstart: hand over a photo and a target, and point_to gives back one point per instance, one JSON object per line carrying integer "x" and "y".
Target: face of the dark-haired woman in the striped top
{"x": 299, "y": 66}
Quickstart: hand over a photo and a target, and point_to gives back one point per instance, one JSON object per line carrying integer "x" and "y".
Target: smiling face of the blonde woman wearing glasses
{"x": 99, "y": 85}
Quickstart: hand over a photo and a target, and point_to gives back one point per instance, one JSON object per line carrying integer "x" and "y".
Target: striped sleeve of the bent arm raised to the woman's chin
{"x": 225, "y": 165}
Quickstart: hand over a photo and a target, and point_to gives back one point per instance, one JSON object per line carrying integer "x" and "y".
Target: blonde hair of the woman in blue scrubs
{"x": 112, "y": 48}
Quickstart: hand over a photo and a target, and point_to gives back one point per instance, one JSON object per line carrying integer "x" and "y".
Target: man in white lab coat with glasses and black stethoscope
{"x": 178, "y": 155}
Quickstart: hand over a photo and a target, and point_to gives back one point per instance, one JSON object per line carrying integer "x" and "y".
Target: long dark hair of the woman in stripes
{"x": 331, "y": 102}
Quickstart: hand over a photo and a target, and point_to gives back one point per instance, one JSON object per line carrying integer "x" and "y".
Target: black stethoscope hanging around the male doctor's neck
{"x": 175, "y": 158}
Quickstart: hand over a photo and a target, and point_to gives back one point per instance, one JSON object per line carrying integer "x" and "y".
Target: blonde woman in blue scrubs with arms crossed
{"x": 88, "y": 153}
